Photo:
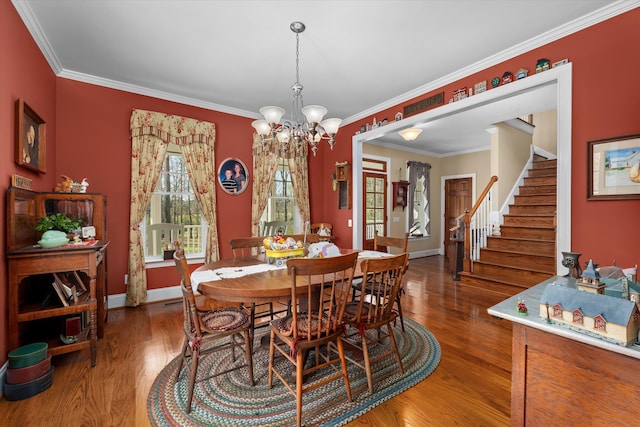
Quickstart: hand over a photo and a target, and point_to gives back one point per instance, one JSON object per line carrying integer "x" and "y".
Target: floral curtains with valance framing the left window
{"x": 151, "y": 133}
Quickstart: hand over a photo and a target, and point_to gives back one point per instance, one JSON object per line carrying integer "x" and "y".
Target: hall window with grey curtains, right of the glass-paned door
{"x": 418, "y": 217}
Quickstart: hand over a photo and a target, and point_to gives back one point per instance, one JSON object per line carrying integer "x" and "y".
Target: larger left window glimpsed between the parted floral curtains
{"x": 173, "y": 202}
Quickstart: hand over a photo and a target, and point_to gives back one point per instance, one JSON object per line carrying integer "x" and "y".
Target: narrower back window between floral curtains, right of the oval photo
{"x": 282, "y": 205}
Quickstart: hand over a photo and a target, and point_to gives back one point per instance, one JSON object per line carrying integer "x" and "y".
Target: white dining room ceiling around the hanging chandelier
{"x": 356, "y": 56}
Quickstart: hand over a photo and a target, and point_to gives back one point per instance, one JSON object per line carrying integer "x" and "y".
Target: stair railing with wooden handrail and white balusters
{"x": 477, "y": 228}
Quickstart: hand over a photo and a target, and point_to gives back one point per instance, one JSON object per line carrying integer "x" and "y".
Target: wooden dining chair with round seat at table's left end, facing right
{"x": 204, "y": 331}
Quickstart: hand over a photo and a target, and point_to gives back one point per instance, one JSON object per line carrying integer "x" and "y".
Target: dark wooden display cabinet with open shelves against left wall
{"x": 33, "y": 303}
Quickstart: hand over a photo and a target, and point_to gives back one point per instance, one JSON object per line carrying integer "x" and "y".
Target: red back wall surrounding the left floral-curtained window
{"x": 94, "y": 143}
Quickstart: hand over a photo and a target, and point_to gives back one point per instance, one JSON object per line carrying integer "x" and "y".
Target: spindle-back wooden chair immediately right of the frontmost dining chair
{"x": 374, "y": 311}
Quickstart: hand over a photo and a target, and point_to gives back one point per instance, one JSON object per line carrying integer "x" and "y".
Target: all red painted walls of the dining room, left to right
{"x": 88, "y": 136}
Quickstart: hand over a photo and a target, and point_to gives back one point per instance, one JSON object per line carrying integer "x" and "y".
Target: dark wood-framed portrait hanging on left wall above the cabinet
{"x": 30, "y": 138}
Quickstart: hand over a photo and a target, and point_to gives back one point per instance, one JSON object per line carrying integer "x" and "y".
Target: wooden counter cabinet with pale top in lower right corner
{"x": 561, "y": 377}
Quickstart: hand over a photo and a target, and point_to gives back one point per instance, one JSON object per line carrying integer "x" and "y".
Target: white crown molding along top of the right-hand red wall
{"x": 571, "y": 27}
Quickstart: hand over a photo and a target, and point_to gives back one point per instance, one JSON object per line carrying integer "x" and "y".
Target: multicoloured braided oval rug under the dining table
{"x": 229, "y": 400}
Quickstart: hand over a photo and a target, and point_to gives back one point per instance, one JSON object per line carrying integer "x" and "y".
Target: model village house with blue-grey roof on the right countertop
{"x": 603, "y": 303}
